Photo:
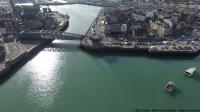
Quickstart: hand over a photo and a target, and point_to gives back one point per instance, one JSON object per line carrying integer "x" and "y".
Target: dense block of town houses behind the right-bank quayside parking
{"x": 159, "y": 22}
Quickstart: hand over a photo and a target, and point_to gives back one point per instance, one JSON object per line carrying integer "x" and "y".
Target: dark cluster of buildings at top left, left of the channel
{"x": 25, "y": 17}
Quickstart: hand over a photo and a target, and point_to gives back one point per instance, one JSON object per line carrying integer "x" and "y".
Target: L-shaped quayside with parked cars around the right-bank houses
{"x": 96, "y": 39}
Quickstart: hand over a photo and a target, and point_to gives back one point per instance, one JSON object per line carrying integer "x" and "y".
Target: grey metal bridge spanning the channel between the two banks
{"x": 49, "y": 35}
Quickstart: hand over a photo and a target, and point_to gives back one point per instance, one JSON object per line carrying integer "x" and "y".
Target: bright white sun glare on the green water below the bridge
{"x": 45, "y": 80}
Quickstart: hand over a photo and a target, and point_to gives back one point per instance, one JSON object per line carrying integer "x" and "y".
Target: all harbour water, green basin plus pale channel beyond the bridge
{"x": 63, "y": 78}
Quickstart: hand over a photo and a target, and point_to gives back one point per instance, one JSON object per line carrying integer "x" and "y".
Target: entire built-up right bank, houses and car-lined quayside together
{"x": 145, "y": 27}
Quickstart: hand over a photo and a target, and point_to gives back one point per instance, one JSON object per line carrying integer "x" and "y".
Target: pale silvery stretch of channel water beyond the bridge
{"x": 81, "y": 16}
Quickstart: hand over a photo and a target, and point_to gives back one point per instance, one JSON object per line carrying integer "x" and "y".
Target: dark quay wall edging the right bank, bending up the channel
{"x": 95, "y": 46}
